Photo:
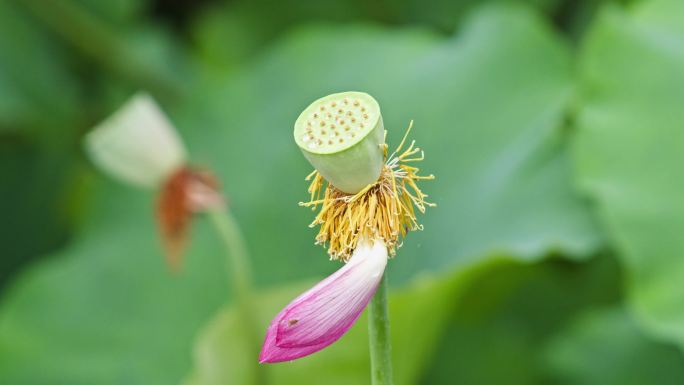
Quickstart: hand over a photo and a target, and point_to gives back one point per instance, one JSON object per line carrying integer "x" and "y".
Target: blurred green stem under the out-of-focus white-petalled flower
{"x": 239, "y": 273}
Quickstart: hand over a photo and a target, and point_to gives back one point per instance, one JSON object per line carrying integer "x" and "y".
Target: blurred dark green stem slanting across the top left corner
{"x": 101, "y": 43}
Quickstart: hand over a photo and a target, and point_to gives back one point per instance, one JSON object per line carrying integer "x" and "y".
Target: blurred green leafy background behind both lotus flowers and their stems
{"x": 555, "y": 129}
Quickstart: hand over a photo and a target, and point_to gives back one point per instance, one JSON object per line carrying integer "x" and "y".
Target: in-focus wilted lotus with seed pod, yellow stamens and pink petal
{"x": 366, "y": 206}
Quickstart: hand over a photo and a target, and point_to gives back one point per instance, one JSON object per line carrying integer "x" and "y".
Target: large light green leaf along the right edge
{"x": 630, "y": 148}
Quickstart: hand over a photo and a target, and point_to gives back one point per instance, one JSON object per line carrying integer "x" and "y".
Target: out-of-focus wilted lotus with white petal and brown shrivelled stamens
{"x": 138, "y": 145}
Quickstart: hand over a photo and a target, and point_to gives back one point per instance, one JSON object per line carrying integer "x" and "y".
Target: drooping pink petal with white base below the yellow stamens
{"x": 324, "y": 313}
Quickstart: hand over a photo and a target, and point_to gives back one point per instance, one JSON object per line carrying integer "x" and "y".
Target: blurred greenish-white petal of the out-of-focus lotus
{"x": 137, "y": 144}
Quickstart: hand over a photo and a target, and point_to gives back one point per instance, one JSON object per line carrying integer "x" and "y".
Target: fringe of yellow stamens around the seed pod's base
{"x": 382, "y": 210}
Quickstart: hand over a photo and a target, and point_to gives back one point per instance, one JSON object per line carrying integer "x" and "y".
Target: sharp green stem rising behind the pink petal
{"x": 379, "y": 336}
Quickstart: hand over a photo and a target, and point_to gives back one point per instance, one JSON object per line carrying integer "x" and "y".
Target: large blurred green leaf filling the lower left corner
{"x": 106, "y": 310}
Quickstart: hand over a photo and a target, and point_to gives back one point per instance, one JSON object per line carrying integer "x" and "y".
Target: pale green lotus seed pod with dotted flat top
{"x": 341, "y": 135}
